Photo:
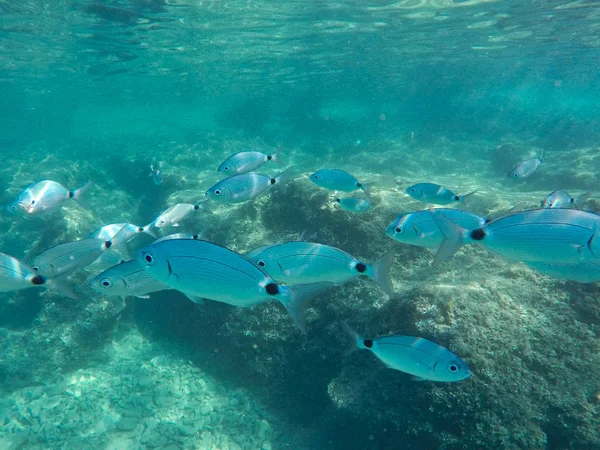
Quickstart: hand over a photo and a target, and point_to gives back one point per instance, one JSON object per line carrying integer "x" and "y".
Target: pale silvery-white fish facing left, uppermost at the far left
{"x": 45, "y": 197}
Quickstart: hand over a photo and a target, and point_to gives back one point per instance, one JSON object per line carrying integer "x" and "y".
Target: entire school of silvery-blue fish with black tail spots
{"x": 559, "y": 240}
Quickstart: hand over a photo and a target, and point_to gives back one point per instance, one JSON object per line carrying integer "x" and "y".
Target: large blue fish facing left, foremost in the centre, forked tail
{"x": 206, "y": 270}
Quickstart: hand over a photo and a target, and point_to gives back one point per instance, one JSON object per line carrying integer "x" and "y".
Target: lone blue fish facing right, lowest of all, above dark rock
{"x": 423, "y": 359}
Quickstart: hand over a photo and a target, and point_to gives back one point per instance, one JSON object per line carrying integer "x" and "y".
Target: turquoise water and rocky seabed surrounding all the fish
{"x": 452, "y": 92}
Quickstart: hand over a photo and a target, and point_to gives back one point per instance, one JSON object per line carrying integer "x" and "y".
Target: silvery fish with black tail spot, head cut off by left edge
{"x": 16, "y": 275}
